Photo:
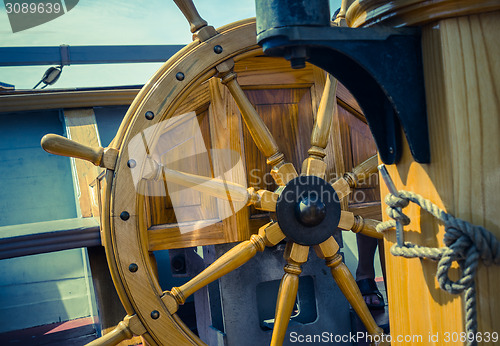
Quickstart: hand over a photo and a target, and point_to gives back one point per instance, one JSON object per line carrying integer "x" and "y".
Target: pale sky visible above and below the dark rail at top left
{"x": 114, "y": 22}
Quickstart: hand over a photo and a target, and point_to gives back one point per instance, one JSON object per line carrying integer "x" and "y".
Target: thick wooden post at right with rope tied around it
{"x": 462, "y": 79}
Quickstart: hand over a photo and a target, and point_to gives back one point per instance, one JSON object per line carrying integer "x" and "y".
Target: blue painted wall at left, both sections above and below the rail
{"x": 37, "y": 186}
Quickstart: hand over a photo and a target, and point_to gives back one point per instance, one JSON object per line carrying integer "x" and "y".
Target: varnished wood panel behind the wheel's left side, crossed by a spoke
{"x": 213, "y": 151}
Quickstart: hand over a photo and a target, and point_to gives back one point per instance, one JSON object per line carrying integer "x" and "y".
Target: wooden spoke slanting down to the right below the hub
{"x": 348, "y": 286}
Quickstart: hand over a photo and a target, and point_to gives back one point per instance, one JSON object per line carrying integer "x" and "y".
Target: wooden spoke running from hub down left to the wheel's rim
{"x": 269, "y": 235}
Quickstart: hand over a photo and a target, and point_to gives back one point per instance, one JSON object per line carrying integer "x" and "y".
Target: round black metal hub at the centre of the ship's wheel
{"x": 308, "y": 210}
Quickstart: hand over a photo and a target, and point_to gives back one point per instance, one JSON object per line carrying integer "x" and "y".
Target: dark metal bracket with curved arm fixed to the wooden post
{"x": 381, "y": 67}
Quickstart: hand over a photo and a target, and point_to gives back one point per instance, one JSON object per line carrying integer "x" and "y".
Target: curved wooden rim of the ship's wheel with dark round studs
{"x": 139, "y": 290}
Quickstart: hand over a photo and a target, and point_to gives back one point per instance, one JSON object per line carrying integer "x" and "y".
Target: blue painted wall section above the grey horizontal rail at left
{"x": 36, "y": 186}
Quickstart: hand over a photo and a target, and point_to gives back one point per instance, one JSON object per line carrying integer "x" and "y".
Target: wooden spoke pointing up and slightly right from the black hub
{"x": 315, "y": 164}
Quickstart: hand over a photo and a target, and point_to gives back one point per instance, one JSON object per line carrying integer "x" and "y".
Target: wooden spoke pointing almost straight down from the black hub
{"x": 296, "y": 255}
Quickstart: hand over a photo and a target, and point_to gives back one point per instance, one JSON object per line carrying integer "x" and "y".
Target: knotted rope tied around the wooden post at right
{"x": 465, "y": 244}
